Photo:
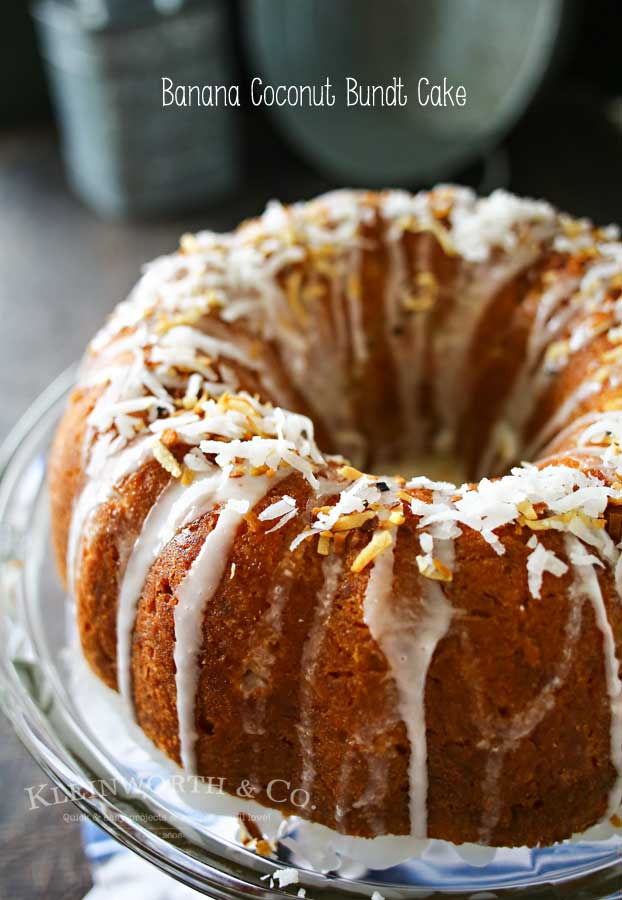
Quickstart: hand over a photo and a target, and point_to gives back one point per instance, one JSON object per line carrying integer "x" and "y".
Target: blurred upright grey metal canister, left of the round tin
{"x": 126, "y": 155}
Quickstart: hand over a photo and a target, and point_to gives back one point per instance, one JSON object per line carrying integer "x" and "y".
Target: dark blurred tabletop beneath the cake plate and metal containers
{"x": 61, "y": 270}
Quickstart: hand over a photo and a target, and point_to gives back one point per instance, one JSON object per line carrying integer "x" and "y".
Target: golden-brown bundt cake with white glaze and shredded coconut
{"x": 394, "y": 654}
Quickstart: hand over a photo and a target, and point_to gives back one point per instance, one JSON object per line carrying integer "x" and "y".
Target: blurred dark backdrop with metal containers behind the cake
{"x": 96, "y": 177}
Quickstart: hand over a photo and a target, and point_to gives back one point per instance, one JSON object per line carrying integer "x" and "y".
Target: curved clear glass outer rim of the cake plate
{"x": 65, "y": 770}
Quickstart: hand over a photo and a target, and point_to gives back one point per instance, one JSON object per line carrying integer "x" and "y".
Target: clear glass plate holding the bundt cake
{"x": 75, "y": 730}
